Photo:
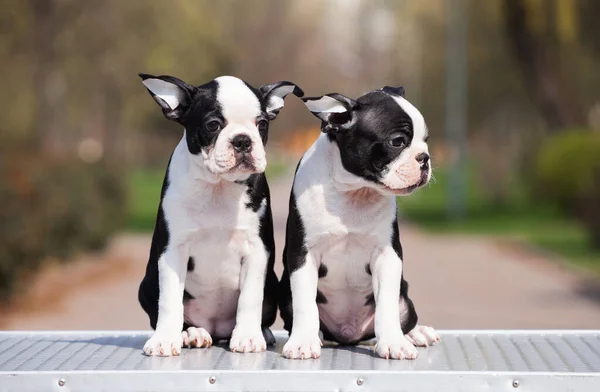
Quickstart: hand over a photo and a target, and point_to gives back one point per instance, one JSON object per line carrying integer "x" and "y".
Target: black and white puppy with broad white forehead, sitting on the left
{"x": 212, "y": 255}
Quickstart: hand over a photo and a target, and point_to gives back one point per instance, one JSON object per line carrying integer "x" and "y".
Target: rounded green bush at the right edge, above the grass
{"x": 568, "y": 170}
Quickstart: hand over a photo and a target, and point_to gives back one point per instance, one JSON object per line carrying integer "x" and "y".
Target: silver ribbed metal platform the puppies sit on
{"x": 463, "y": 361}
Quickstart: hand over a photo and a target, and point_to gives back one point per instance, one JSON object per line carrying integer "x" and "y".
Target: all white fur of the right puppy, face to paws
{"x": 348, "y": 223}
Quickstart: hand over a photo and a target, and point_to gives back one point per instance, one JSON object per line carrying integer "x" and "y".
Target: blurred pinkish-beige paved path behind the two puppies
{"x": 455, "y": 282}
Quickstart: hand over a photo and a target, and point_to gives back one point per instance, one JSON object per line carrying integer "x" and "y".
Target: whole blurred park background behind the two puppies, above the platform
{"x": 507, "y": 235}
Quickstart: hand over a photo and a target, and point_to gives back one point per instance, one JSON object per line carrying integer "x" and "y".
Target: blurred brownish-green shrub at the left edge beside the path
{"x": 51, "y": 209}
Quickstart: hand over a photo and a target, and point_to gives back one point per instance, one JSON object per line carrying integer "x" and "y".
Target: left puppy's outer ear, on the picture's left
{"x": 172, "y": 95}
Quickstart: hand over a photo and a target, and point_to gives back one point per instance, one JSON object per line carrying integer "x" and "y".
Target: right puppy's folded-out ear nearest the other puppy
{"x": 335, "y": 110}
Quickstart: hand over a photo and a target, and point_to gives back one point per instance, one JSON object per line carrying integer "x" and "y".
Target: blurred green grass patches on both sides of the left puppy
{"x": 144, "y": 194}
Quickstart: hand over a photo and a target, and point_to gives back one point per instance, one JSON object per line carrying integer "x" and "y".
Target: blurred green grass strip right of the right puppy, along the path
{"x": 524, "y": 218}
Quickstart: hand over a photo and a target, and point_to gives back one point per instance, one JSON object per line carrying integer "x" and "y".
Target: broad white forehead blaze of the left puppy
{"x": 238, "y": 103}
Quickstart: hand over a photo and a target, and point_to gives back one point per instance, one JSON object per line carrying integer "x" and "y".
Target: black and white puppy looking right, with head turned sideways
{"x": 342, "y": 257}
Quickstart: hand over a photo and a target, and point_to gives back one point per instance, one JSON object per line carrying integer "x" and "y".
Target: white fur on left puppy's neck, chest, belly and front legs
{"x": 208, "y": 219}
